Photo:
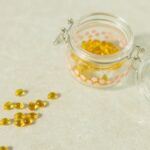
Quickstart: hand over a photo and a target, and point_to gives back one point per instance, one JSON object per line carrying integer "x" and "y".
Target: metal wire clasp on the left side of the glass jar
{"x": 64, "y": 34}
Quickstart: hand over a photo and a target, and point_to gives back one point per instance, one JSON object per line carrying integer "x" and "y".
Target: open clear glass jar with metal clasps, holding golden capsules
{"x": 100, "y": 48}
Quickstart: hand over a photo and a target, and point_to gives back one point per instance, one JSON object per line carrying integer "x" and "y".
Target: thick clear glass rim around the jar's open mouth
{"x": 118, "y": 21}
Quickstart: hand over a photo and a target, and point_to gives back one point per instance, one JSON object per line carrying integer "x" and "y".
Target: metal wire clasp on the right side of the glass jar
{"x": 136, "y": 56}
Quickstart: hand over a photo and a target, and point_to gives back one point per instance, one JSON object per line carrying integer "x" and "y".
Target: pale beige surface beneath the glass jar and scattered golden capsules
{"x": 83, "y": 118}
